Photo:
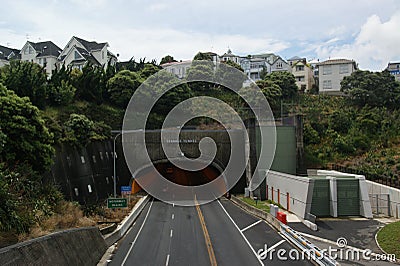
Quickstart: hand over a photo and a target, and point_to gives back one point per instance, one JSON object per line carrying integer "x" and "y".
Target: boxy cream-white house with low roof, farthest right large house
{"x": 332, "y": 72}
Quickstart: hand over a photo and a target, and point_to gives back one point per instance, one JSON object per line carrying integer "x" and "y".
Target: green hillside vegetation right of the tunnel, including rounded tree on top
{"x": 360, "y": 130}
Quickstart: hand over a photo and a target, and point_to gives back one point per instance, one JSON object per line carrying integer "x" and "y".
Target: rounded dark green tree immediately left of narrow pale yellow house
{"x": 286, "y": 82}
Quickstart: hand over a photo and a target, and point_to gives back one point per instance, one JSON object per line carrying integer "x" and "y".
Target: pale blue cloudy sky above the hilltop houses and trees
{"x": 367, "y": 31}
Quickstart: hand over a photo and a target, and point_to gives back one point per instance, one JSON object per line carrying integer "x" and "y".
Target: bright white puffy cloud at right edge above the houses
{"x": 374, "y": 46}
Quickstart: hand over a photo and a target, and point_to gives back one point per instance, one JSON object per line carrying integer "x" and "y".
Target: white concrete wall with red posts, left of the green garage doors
{"x": 294, "y": 193}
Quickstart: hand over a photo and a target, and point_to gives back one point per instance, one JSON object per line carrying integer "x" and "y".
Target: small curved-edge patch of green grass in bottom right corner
{"x": 389, "y": 238}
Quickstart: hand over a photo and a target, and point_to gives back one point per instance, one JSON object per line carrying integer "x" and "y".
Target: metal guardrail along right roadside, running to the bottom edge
{"x": 309, "y": 249}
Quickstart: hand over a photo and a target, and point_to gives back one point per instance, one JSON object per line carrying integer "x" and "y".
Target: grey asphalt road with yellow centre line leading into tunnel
{"x": 217, "y": 233}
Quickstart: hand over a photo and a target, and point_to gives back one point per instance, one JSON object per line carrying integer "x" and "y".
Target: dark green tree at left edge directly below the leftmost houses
{"x": 26, "y": 79}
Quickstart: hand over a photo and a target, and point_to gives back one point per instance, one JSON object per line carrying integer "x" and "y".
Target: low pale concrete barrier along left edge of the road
{"x": 123, "y": 227}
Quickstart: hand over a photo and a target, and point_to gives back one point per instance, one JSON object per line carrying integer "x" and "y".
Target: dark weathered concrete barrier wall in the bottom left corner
{"x": 81, "y": 246}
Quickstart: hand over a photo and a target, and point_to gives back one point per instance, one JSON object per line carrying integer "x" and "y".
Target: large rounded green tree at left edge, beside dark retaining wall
{"x": 26, "y": 140}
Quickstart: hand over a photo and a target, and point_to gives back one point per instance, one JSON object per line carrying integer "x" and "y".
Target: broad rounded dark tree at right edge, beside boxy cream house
{"x": 376, "y": 89}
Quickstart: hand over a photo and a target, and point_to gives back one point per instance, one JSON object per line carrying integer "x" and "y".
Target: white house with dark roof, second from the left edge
{"x": 42, "y": 53}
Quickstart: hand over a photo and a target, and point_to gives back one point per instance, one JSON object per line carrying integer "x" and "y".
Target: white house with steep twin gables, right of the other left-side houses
{"x": 79, "y": 52}
